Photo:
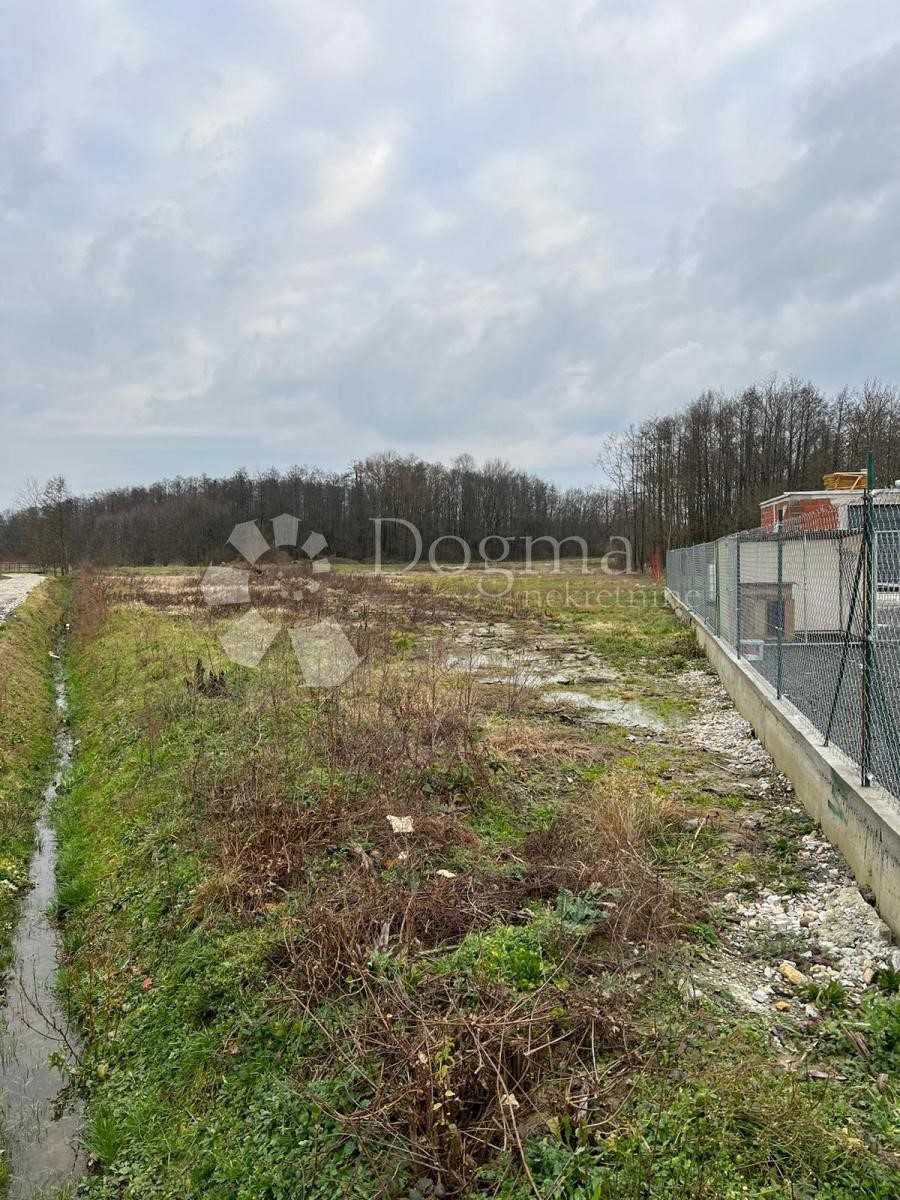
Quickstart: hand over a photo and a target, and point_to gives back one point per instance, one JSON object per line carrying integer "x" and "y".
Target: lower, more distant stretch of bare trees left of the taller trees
{"x": 189, "y": 520}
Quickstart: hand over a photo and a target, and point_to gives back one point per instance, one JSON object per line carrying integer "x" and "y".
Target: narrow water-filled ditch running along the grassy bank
{"x": 43, "y": 1136}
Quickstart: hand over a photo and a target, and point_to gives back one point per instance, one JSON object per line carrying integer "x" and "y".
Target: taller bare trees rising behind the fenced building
{"x": 700, "y": 473}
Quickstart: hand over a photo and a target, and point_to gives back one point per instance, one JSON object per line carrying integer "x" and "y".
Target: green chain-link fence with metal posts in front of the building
{"x": 813, "y": 605}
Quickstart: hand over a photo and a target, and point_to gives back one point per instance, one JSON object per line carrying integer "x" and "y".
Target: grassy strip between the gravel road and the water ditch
{"x": 27, "y": 727}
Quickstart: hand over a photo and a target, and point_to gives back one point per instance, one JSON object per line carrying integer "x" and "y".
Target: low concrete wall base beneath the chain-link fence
{"x": 862, "y": 823}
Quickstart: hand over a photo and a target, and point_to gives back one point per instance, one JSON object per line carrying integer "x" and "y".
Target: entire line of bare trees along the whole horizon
{"x": 671, "y": 481}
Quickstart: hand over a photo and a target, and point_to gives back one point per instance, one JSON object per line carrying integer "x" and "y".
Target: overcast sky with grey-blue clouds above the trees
{"x": 268, "y": 232}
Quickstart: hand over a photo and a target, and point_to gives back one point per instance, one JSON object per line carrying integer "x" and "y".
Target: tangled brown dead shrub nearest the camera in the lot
{"x": 452, "y": 1082}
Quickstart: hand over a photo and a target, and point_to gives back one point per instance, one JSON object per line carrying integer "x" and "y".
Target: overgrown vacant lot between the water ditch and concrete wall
{"x": 487, "y": 920}
